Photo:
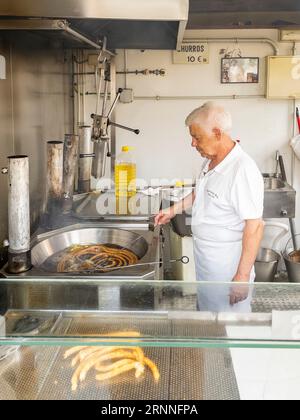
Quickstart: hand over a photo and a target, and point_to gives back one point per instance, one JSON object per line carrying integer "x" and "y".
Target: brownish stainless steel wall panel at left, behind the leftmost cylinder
{"x": 35, "y": 107}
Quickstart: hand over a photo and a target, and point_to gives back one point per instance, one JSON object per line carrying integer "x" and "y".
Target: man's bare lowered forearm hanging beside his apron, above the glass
{"x": 252, "y": 238}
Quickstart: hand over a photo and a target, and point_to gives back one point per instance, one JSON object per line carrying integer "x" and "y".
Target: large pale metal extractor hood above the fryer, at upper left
{"x": 132, "y": 24}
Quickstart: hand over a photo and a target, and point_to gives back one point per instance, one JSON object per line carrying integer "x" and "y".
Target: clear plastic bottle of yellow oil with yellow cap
{"x": 125, "y": 174}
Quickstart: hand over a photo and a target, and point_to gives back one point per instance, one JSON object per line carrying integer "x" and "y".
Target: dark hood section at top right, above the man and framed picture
{"x": 235, "y": 14}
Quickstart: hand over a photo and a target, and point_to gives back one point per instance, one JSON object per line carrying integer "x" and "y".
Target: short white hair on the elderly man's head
{"x": 210, "y": 116}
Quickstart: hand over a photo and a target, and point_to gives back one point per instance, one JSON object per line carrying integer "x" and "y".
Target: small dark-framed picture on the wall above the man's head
{"x": 240, "y": 70}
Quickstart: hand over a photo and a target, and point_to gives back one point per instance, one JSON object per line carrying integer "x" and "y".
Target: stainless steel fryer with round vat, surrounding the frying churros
{"x": 136, "y": 237}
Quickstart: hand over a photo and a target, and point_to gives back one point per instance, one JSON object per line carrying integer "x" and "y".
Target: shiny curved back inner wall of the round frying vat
{"x": 57, "y": 243}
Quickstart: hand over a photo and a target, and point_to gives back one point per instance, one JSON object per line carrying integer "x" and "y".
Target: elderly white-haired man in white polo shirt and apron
{"x": 227, "y": 213}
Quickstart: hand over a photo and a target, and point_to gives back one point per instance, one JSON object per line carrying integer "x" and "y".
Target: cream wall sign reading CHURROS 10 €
{"x": 192, "y": 53}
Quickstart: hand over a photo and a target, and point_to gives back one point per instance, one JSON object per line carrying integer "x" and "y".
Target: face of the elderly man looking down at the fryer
{"x": 206, "y": 145}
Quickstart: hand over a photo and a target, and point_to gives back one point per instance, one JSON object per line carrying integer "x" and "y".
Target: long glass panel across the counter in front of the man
{"x": 72, "y": 312}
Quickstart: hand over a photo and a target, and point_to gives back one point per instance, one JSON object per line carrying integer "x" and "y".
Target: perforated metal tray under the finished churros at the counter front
{"x": 194, "y": 374}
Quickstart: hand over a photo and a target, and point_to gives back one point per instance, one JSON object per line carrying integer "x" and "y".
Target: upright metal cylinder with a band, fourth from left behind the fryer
{"x": 85, "y": 163}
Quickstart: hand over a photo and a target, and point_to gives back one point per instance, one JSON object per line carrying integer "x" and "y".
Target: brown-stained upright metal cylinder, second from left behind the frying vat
{"x": 55, "y": 161}
